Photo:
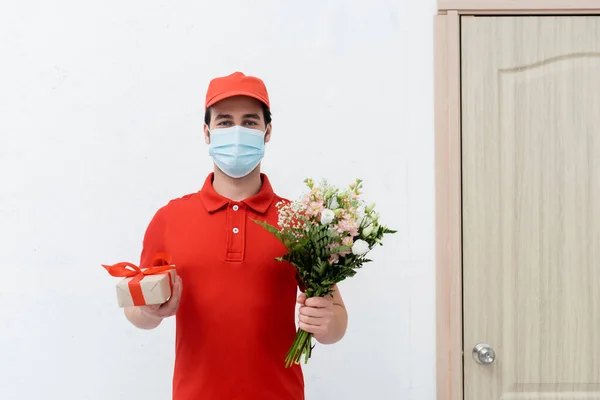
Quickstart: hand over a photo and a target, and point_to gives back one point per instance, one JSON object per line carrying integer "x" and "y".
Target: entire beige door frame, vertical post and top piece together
{"x": 447, "y": 126}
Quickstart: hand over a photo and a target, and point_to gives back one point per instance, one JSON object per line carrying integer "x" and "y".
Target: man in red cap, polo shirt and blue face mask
{"x": 235, "y": 319}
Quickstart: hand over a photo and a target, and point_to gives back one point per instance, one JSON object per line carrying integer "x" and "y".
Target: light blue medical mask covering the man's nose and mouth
{"x": 236, "y": 150}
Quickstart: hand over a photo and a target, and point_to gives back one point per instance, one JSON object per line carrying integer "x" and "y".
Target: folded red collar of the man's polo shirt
{"x": 259, "y": 202}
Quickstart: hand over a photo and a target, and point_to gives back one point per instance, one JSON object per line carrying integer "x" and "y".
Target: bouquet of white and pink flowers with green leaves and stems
{"x": 327, "y": 233}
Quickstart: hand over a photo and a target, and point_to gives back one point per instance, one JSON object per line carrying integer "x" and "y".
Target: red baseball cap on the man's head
{"x": 236, "y": 84}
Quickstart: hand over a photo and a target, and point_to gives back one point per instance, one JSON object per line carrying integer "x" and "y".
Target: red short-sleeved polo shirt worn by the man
{"x": 236, "y": 317}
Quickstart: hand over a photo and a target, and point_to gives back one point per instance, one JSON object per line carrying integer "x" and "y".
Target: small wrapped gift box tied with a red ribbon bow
{"x": 144, "y": 286}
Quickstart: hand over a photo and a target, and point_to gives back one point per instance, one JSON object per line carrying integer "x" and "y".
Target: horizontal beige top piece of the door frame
{"x": 522, "y": 5}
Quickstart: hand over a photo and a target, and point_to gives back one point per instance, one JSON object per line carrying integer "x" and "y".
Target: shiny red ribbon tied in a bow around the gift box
{"x": 126, "y": 270}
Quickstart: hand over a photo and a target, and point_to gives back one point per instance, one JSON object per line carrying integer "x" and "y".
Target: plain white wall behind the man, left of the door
{"x": 100, "y": 124}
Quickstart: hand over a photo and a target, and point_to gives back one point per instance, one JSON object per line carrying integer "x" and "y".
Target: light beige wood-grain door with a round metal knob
{"x": 531, "y": 206}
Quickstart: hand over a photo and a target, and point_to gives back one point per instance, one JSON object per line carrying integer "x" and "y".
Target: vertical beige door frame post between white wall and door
{"x": 448, "y": 210}
